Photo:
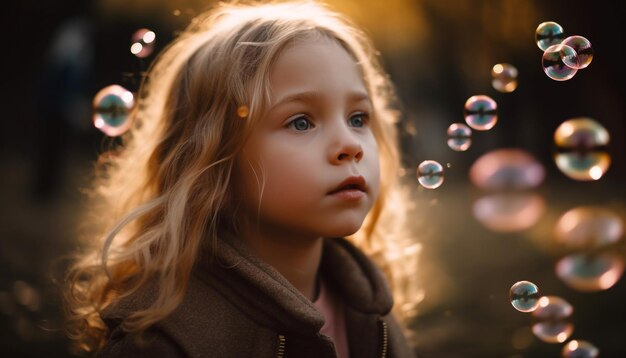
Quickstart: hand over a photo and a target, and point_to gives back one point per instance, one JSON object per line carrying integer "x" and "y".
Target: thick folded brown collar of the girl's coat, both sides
{"x": 265, "y": 295}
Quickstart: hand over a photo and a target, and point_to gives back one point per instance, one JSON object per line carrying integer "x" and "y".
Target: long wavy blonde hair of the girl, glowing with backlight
{"x": 164, "y": 194}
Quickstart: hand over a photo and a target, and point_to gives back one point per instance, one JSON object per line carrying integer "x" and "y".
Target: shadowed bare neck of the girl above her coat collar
{"x": 294, "y": 257}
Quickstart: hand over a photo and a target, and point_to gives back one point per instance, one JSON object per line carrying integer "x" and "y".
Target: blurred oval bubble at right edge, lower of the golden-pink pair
{"x": 588, "y": 273}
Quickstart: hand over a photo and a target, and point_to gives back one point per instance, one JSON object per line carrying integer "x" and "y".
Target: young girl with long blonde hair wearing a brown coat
{"x": 263, "y": 136}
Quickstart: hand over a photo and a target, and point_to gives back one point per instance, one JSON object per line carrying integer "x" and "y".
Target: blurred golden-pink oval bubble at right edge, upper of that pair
{"x": 588, "y": 228}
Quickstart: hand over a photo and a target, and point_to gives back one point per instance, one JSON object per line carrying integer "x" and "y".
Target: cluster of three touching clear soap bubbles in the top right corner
{"x": 562, "y": 57}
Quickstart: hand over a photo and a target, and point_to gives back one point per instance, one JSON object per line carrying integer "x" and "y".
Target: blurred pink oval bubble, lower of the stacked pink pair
{"x": 509, "y": 212}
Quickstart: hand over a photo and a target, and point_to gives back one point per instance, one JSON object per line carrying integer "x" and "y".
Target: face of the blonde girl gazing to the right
{"x": 314, "y": 146}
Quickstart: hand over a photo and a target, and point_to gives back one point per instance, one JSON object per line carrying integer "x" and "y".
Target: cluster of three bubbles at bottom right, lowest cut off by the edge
{"x": 551, "y": 317}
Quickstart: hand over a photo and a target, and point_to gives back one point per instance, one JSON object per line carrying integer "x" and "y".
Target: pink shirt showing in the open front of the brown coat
{"x": 335, "y": 322}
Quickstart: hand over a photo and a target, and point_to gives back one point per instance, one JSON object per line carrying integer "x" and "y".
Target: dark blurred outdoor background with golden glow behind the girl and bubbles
{"x": 477, "y": 237}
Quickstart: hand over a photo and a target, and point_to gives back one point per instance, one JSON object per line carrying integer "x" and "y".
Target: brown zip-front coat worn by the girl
{"x": 242, "y": 307}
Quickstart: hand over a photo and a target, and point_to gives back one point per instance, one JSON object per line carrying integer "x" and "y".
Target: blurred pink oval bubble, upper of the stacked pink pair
{"x": 507, "y": 168}
